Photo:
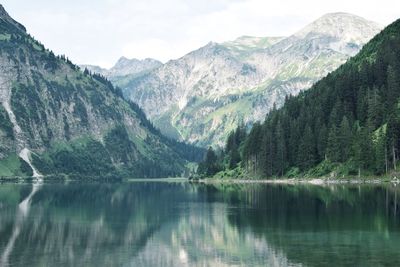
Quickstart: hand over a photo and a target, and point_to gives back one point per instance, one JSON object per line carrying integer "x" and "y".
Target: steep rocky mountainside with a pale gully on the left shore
{"x": 56, "y": 119}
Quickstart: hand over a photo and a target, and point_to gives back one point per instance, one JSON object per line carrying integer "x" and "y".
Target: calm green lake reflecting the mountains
{"x": 181, "y": 224}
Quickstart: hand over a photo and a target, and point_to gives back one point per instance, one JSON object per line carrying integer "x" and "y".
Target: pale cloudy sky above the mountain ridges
{"x": 101, "y": 31}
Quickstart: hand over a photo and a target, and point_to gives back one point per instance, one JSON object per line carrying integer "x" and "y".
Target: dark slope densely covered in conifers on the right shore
{"x": 348, "y": 123}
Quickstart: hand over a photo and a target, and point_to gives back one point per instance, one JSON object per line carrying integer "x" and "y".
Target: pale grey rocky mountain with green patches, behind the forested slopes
{"x": 204, "y": 95}
